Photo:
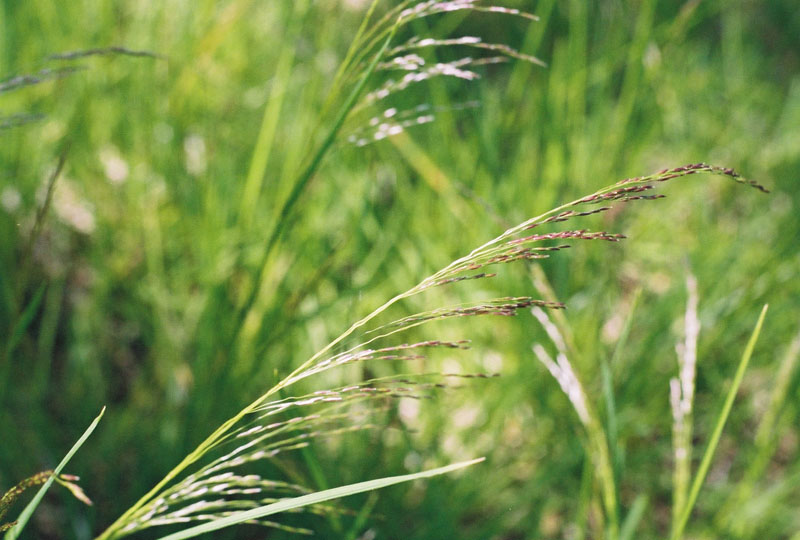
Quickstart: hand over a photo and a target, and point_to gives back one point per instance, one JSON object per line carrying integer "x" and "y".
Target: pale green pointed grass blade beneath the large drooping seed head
{"x": 314, "y": 498}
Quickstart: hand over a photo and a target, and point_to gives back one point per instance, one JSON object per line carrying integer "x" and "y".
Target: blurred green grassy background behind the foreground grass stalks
{"x": 158, "y": 222}
